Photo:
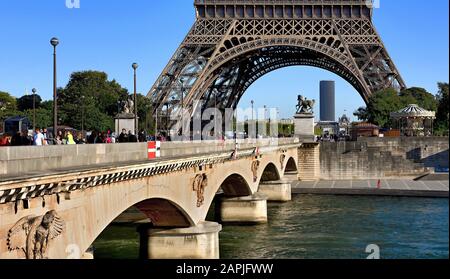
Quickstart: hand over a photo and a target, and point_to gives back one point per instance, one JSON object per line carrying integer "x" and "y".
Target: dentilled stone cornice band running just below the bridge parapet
{"x": 59, "y": 183}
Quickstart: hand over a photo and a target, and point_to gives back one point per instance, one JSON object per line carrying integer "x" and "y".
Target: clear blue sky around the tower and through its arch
{"x": 109, "y": 35}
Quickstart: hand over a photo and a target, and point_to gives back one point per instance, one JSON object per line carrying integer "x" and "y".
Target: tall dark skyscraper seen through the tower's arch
{"x": 327, "y": 101}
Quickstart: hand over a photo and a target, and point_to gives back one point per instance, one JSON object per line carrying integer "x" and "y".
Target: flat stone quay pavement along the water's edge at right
{"x": 401, "y": 187}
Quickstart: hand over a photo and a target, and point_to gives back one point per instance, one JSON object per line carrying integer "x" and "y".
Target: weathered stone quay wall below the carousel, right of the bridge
{"x": 376, "y": 158}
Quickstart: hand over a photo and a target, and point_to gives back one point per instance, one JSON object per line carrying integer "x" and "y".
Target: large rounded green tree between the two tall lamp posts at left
{"x": 93, "y": 93}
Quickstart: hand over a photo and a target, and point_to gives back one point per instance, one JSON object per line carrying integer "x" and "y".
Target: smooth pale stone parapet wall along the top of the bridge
{"x": 40, "y": 159}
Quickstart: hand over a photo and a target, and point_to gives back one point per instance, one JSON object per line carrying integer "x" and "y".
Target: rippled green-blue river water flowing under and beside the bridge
{"x": 322, "y": 227}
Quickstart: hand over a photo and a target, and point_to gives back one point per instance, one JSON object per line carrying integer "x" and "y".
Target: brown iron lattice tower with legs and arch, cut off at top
{"x": 234, "y": 42}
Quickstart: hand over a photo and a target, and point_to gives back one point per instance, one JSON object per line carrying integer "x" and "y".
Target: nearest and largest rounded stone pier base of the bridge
{"x": 198, "y": 242}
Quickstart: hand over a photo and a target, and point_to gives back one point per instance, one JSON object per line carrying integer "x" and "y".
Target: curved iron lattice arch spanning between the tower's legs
{"x": 232, "y": 72}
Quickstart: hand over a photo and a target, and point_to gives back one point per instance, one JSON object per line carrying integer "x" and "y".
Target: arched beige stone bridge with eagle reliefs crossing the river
{"x": 59, "y": 213}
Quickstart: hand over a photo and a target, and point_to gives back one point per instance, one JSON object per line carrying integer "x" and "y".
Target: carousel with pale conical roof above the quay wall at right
{"x": 414, "y": 121}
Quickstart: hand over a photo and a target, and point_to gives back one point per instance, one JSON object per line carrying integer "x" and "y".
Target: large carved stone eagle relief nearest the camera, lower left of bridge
{"x": 32, "y": 234}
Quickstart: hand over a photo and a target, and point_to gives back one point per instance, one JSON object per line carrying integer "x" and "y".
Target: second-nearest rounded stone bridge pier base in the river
{"x": 245, "y": 210}
